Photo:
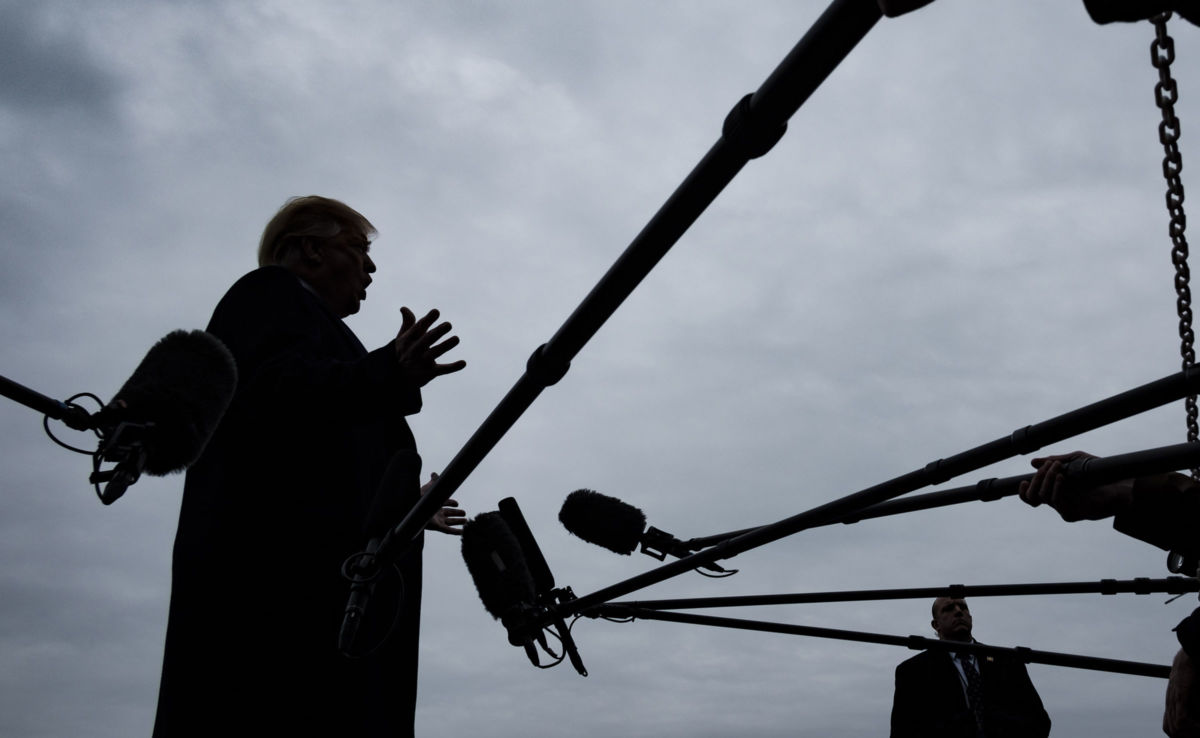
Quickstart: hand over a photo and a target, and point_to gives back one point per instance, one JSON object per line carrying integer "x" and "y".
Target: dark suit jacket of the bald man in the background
{"x": 929, "y": 700}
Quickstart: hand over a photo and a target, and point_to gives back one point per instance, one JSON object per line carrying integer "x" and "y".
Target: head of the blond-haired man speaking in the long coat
{"x": 326, "y": 243}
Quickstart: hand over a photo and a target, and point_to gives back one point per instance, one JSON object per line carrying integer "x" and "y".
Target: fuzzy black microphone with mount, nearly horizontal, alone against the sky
{"x": 620, "y": 527}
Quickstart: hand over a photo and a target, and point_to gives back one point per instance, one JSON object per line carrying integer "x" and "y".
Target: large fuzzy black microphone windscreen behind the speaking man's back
{"x": 183, "y": 387}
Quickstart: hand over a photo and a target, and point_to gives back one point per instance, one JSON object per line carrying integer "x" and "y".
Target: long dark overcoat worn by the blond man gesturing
{"x": 275, "y": 505}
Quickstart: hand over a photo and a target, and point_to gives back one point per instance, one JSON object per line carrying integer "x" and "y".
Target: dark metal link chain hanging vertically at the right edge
{"x": 1167, "y": 93}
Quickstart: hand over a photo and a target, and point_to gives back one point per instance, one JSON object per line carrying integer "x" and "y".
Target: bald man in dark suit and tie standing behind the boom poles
{"x": 957, "y": 695}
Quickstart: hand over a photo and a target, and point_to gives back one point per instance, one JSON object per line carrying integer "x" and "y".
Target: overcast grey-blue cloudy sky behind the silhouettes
{"x": 962, "y": 233}
